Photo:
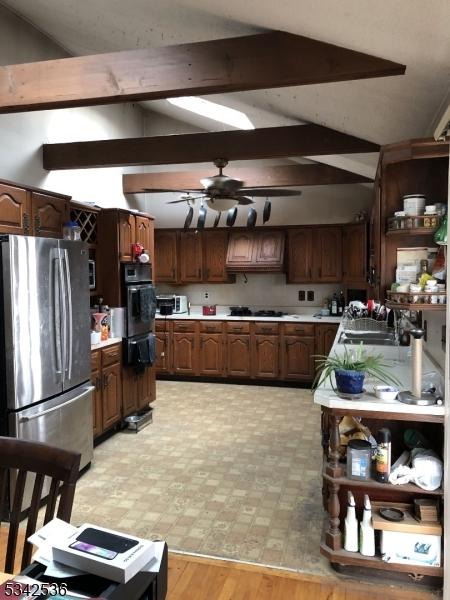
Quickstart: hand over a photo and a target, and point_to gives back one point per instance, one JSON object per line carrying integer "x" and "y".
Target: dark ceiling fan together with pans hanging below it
{"x": 224, "y": 193}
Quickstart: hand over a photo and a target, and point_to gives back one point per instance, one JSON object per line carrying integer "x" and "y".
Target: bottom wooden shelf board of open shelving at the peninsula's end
{"x": 343, "y": 557}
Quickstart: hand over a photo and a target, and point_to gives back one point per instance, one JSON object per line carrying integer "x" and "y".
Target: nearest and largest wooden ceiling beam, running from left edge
{"x": 266, "y": 60}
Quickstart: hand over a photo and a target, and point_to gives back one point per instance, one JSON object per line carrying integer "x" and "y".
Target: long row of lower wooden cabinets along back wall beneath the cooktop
{"x": 241, "y": 349}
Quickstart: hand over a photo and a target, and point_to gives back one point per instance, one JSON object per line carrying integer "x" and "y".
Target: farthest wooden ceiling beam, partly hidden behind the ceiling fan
{"x": 261, "y": 177}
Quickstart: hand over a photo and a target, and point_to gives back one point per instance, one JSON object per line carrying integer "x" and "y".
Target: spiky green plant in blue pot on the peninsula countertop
{"x": 350, "y": 369}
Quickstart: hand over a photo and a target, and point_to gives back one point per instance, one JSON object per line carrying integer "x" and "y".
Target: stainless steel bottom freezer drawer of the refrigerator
{"x": 65, "y": 421}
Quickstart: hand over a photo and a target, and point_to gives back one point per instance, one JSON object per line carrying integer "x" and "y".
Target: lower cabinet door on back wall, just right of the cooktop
{"x": 297, "y": 358}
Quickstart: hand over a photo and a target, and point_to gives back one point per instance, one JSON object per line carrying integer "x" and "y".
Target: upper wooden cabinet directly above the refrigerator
{"x": 31, "y": 212}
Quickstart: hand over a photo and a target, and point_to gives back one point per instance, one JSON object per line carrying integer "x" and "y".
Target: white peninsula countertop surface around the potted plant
{"x": 401, "y": 368}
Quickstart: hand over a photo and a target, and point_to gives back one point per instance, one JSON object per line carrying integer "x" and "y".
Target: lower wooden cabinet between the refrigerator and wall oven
{"x": 106, "y": 376}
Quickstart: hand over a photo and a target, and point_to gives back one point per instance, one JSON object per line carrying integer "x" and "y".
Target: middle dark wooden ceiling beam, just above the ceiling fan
{"x": 268, "y": 142}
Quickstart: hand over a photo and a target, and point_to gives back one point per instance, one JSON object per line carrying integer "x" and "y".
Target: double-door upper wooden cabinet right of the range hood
{"x": 315, "y": 255}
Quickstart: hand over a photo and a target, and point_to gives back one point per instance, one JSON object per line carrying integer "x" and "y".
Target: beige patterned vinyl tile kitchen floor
{"x": 224, "y": 470}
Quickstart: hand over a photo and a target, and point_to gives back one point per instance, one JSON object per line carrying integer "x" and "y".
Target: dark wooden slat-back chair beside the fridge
{"x": 62, "y": 466}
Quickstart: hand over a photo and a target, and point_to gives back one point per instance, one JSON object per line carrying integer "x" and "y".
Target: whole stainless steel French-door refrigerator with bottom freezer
{"x": 45, "y": 390}
